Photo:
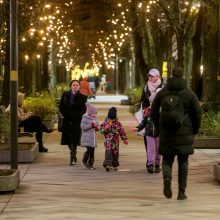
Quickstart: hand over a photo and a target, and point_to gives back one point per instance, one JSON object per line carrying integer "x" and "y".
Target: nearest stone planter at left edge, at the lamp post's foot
{"x": 9, "y": 180}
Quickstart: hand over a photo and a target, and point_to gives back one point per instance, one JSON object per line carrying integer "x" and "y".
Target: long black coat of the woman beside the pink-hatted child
{"x": 72, "y": 112}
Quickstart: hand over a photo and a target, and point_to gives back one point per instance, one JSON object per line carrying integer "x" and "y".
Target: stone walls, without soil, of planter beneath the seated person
{"x": 24, "y": 156}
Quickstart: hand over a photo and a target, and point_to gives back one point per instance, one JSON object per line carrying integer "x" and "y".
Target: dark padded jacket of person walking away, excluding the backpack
{"x": 178, "y": 141}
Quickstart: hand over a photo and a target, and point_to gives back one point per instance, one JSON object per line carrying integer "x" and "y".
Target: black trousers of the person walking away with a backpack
{"x": 167, "y": 164}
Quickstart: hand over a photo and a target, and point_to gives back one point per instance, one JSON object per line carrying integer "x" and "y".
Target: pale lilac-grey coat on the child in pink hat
{"x": 88, "y": 138}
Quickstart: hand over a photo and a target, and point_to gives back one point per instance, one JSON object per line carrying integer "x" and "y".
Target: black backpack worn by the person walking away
{"x": 172, "y": 113}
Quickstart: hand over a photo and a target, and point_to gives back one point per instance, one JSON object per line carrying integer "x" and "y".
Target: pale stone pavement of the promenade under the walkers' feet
{"x": 50, "y": 189}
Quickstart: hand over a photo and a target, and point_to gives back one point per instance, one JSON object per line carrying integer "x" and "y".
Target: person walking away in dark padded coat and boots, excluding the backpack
{"x": 180, "y": 141}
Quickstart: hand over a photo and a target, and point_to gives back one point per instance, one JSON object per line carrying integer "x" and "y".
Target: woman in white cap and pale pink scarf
{"x": 153, "y": 85}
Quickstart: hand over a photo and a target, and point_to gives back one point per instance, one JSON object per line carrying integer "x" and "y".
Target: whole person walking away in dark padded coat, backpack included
{"x": 176, "y": 114}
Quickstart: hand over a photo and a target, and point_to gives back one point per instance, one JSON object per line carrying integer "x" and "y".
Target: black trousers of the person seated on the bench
{"x": 34, "y": 124}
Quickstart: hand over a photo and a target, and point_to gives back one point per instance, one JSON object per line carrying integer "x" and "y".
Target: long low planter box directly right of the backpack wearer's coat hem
{"x": 207, "y": 142}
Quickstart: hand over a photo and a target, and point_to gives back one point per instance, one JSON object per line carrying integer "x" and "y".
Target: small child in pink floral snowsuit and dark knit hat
{"x": 112, "y": 129}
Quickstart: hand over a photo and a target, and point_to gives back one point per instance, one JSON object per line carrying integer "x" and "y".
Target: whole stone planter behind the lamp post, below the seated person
{"x": 27, "y": 152}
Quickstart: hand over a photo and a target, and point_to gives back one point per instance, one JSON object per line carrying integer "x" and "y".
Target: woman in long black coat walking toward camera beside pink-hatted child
{"x": 72, "y": 107}
